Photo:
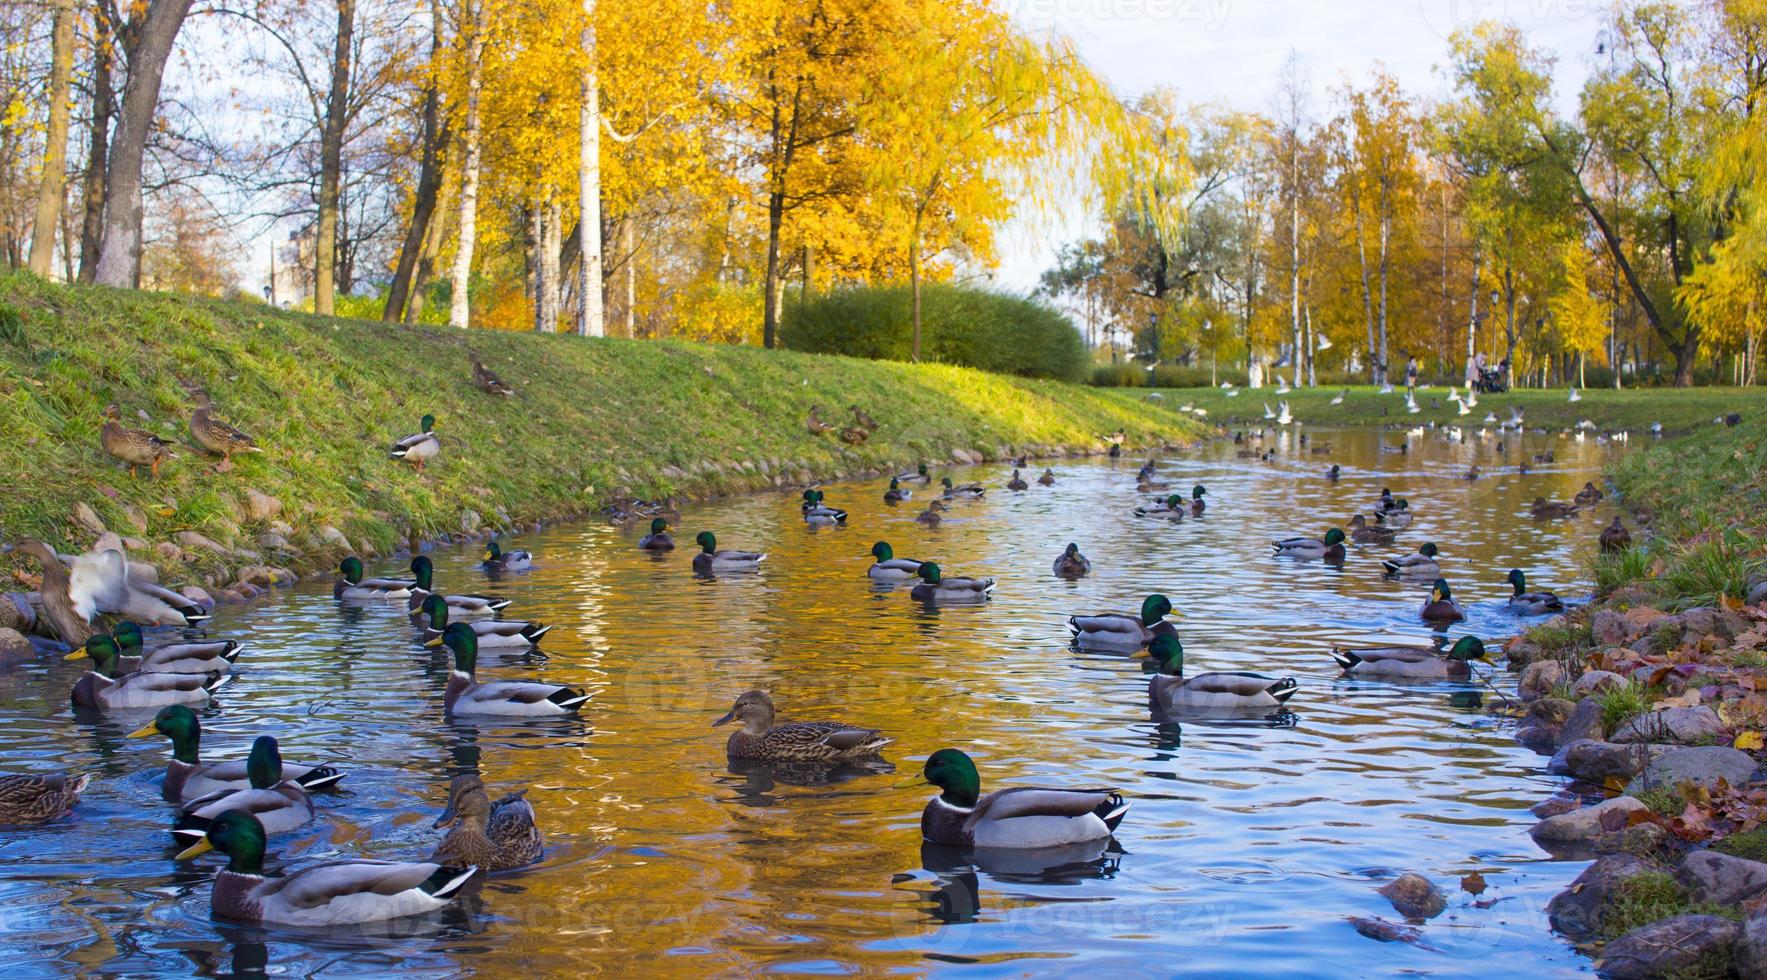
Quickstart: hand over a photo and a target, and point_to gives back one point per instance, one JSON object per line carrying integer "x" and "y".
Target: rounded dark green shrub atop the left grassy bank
{"x": 959, "y": 326}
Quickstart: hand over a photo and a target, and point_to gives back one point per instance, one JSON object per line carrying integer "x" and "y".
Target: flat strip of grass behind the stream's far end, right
{"x": 1680, "y": 411}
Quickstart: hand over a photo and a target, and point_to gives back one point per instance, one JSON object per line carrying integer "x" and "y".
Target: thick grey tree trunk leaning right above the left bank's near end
{"x": 121, "y": 248}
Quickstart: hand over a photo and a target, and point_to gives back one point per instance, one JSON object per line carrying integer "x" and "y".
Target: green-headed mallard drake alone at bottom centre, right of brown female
{"x": 1022, "y": 818}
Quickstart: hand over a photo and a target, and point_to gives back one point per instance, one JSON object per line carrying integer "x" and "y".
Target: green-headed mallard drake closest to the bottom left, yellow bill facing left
{"x": 322, "y": 894}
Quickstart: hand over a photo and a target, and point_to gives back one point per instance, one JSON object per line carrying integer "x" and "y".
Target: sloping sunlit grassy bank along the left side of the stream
{"x": 593, "y": 421}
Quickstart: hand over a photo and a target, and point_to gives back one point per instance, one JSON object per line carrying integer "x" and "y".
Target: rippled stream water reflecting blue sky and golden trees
{"x": 1247, "y": 848}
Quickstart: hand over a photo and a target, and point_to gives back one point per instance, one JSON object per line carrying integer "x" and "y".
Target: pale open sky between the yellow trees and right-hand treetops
{"x": 1231, "y": 52}
